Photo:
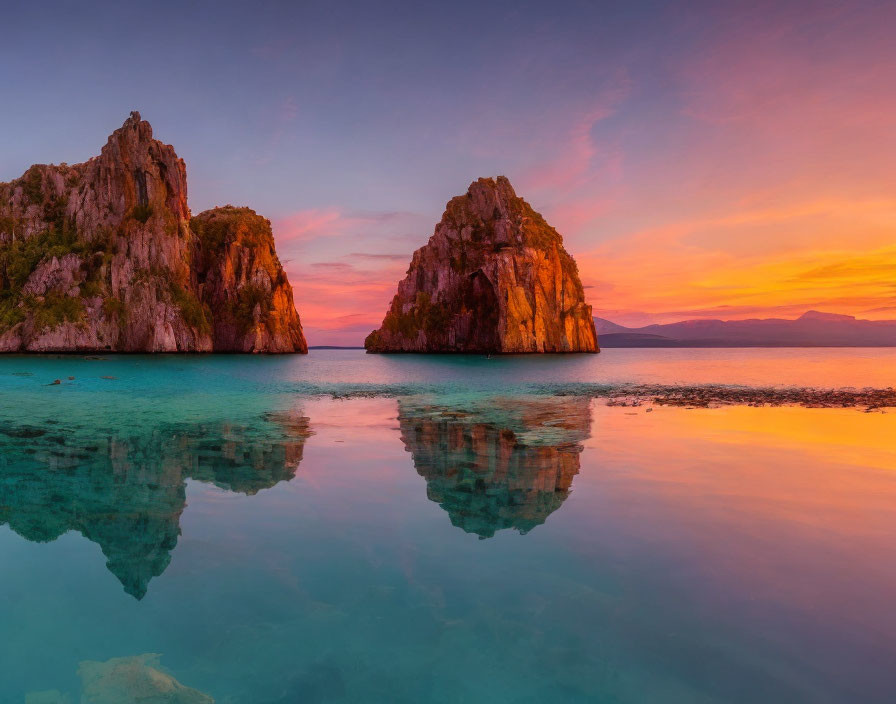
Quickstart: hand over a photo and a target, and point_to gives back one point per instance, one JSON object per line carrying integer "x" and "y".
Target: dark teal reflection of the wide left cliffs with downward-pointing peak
{"x": 126, "y": 490}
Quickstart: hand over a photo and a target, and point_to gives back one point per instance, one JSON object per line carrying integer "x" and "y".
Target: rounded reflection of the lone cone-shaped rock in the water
{"x": 496, "y": 463}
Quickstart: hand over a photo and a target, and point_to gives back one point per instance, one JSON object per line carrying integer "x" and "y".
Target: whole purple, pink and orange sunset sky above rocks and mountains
{"x": 715, "y": 159}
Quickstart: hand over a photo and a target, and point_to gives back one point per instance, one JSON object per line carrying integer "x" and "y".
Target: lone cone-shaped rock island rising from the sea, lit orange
{"x": 495, "y": 278}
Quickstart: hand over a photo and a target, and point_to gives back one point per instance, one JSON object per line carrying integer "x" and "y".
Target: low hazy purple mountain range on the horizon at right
{"x": 811, "y": 329}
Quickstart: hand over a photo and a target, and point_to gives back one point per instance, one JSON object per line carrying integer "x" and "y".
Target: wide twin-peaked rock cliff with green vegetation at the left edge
{"x": 104, "y": 256}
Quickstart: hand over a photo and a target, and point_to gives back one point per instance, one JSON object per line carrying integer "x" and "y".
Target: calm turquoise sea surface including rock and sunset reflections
{"x": 460, "y": 535}
